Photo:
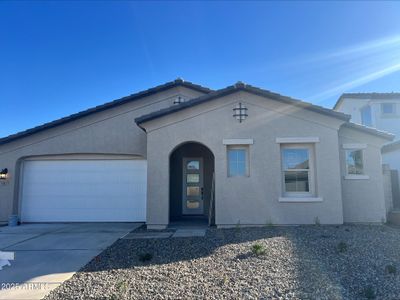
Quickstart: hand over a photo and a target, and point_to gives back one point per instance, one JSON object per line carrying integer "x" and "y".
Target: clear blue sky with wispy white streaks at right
{"x": 58, "y": 58}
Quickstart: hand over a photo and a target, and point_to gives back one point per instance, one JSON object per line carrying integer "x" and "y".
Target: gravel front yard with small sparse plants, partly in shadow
{"x": 306, "y": 262}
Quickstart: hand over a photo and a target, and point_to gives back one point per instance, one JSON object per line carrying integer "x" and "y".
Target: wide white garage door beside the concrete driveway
{"x": 84, "y": 191}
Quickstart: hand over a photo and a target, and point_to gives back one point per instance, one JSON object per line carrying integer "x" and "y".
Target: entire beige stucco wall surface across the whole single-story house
{"x": 253, "y": 200}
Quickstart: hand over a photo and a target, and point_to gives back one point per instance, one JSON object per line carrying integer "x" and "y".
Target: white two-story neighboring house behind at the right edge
{"x": 380, "y": 111}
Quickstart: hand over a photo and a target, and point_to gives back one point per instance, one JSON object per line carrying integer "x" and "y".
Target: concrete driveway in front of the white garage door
{"x": 48, "y": 254}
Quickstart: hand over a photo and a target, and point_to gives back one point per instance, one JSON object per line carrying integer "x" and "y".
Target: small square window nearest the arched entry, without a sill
{"x": 238, "y": 161}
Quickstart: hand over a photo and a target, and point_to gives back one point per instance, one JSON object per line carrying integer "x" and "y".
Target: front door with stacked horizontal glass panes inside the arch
{"x": 192, "y": 200}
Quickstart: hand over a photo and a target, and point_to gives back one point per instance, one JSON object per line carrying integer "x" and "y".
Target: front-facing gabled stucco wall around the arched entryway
{"x": 252, "y": 200}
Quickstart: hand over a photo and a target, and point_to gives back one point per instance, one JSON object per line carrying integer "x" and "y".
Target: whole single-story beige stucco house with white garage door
{"x": 238, "y": 155}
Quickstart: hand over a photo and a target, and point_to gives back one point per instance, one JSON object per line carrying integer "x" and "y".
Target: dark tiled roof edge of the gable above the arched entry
{"x": 241, "y": 87}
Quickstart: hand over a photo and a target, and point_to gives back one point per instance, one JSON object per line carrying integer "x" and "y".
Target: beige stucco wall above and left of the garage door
{"x": 109, "y": 132}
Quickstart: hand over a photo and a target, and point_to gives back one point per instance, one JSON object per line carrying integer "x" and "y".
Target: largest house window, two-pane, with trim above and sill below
{"x": 297, "y": 170}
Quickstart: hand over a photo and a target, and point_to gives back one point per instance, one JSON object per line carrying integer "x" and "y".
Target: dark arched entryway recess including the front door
{"x": 191, "y": 184}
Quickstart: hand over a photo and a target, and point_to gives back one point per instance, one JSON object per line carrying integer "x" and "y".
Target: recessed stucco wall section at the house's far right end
{"x": 363, "y": 200}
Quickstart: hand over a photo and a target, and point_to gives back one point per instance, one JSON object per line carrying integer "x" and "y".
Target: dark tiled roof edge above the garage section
{"x": 160, "y": 88}
